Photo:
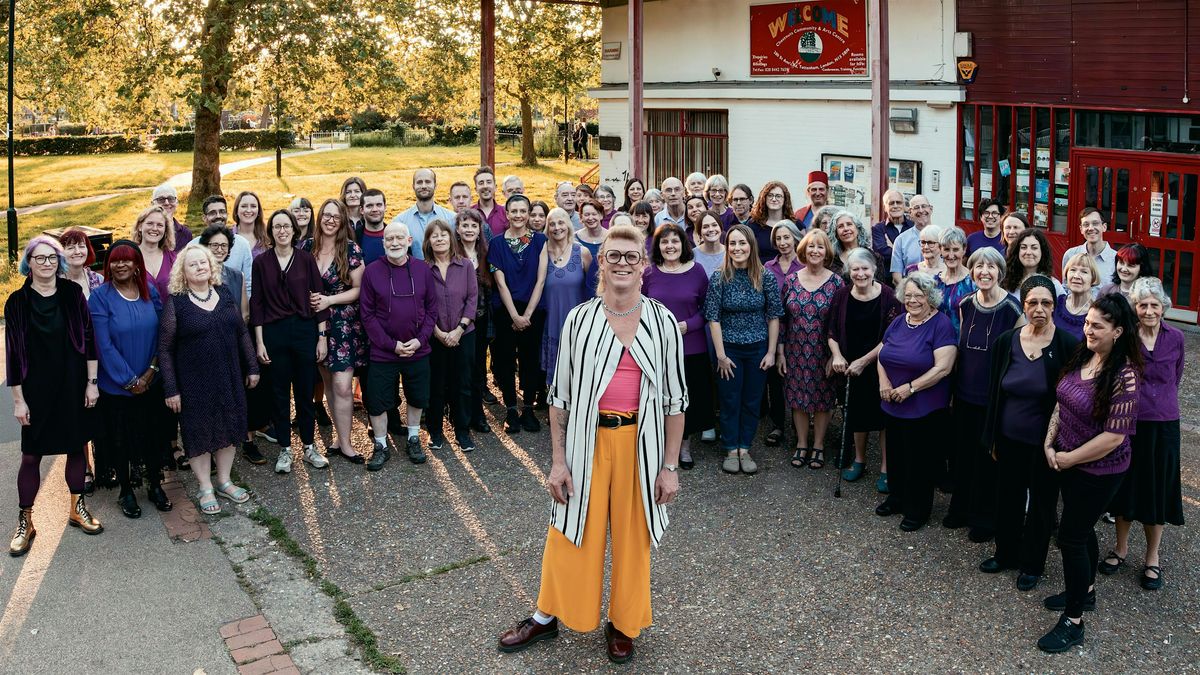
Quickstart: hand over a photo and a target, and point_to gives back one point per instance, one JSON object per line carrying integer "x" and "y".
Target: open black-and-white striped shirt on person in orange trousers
{"x": 587, "y": 361}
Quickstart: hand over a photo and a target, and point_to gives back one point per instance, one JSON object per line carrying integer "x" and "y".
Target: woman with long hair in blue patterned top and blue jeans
{"x": 742, "y": 309}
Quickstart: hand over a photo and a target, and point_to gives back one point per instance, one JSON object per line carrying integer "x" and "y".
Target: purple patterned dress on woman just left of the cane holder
{"x": 806, "y": 349}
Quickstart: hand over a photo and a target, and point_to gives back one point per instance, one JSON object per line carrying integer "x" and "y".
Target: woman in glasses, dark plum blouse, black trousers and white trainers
{"x": 291, "y": 334}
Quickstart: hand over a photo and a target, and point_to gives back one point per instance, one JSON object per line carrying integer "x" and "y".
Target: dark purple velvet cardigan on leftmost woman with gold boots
{"x": 16, "y": 314}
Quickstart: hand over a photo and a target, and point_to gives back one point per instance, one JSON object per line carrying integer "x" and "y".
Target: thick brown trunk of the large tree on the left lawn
{"x": 217, "y": 69}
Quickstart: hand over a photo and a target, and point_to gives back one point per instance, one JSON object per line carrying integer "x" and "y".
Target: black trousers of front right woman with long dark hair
{"x": 1085, "y": 498}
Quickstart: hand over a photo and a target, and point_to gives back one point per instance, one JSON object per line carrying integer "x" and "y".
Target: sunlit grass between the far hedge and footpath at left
{"x": 41, "y": 181}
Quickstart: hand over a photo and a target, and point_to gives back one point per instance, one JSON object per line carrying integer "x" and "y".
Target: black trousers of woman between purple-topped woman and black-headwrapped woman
{"x": 973, "y": 469}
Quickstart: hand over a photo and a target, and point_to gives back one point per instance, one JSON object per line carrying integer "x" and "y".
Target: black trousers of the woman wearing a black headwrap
{"x": 1024, "y": 479}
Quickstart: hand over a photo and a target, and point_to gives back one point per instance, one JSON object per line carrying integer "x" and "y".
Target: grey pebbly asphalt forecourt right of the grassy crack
{"x": 755, "y": 574}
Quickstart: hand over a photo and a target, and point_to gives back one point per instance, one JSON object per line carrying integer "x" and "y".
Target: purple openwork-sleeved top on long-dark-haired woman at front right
{"x": 1077, "y": 427}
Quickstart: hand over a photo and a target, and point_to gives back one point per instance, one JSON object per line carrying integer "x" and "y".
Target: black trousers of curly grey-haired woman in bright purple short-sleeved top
{"x": 915, "y": 450}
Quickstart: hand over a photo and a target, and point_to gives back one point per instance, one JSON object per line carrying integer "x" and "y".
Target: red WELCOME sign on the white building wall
{"x": 809, "y": 39}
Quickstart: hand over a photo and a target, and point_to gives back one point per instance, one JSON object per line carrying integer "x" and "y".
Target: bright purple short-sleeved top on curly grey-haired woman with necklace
{"x": 908, "y": 354}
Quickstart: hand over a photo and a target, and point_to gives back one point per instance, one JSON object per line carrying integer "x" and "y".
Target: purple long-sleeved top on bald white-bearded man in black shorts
{"x": 398, "y": 303}
